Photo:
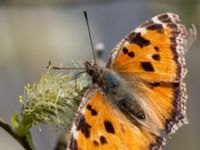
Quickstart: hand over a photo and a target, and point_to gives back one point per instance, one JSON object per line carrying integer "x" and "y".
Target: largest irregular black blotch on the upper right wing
{"x": 137, "y": 39}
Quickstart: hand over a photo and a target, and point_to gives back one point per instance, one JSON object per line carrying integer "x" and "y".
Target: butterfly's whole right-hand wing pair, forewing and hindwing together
{"x": 152, "y": 59}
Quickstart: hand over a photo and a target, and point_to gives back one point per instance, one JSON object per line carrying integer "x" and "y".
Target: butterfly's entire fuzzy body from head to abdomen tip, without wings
{"x": 116, "y": 89}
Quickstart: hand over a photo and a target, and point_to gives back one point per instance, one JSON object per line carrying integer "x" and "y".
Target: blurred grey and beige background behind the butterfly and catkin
{"x": 32, "y": 32}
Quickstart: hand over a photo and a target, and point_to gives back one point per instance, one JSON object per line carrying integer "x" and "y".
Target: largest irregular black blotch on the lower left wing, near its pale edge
{"x": 84, "y": 127}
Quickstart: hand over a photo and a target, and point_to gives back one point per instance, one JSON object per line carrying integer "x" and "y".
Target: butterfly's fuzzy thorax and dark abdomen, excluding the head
{"x": 117, "y": 91}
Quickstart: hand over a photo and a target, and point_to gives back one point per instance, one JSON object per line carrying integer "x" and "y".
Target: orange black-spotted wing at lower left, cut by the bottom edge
{"x": 101, "y": 125}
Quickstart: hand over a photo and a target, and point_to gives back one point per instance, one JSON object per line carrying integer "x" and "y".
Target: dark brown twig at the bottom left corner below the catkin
{"x": 21, "y": 140}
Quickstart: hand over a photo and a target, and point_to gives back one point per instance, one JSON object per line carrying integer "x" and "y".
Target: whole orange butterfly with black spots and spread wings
{"x": 139, "y": 98}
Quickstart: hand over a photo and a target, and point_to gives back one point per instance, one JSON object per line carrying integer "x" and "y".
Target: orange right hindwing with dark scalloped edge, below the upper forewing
{"x": 164, "y": 104}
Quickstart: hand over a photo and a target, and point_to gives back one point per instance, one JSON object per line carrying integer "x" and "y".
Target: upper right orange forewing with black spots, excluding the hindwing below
{"x": 154, "y": 51}
